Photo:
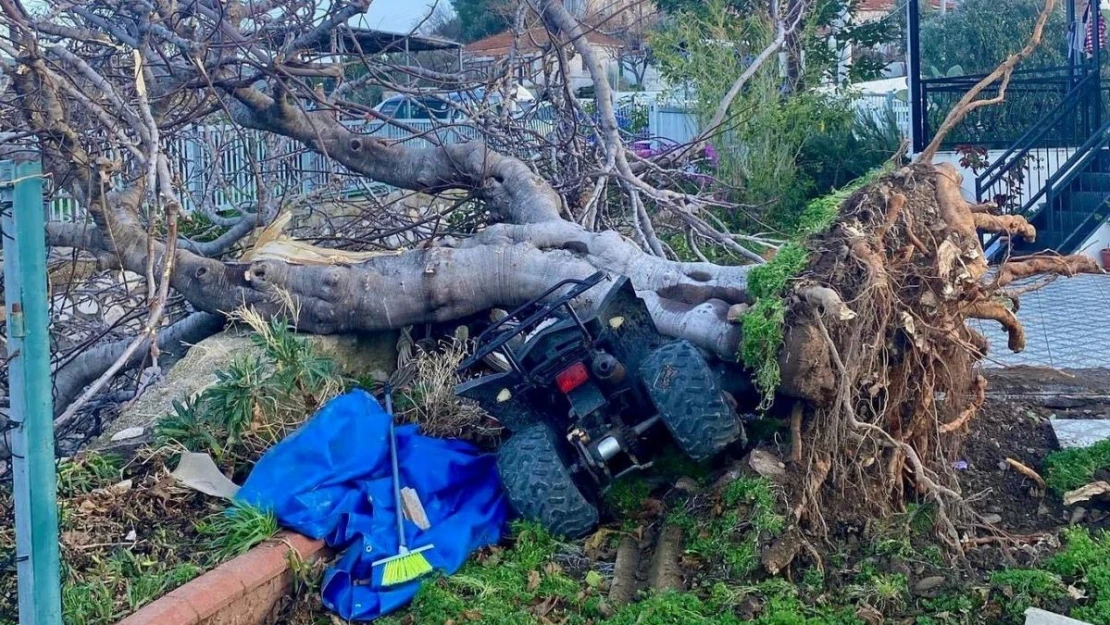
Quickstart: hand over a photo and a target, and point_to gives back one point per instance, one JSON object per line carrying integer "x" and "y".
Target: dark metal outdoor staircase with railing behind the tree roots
{"x": 1057, "y": 175}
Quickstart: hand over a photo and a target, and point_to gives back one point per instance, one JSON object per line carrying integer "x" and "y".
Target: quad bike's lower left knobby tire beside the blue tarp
{"x": 540, "y": 487}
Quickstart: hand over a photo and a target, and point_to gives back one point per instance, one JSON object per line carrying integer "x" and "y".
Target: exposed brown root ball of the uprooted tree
{"x": 883, "y": 357}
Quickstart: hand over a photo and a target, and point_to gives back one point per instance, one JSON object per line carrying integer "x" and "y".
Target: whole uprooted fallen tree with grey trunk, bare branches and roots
{"x": 875, "y": 349}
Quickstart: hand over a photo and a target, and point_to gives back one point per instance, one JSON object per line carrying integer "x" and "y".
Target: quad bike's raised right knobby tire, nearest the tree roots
{"x": 689, "y": 397}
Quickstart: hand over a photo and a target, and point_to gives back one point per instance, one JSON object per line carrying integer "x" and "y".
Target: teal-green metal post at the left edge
{"x": 37, "y": 550}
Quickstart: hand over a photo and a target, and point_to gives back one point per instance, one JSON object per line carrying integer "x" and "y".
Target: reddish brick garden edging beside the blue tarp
{"x": 246, "y": 591}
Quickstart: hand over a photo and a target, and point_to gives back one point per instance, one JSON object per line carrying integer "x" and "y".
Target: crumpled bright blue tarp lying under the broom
{"x": 331, "y": 480}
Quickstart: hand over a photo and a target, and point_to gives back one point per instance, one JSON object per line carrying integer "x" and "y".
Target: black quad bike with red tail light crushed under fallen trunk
{"x": 586, "y": 399}
